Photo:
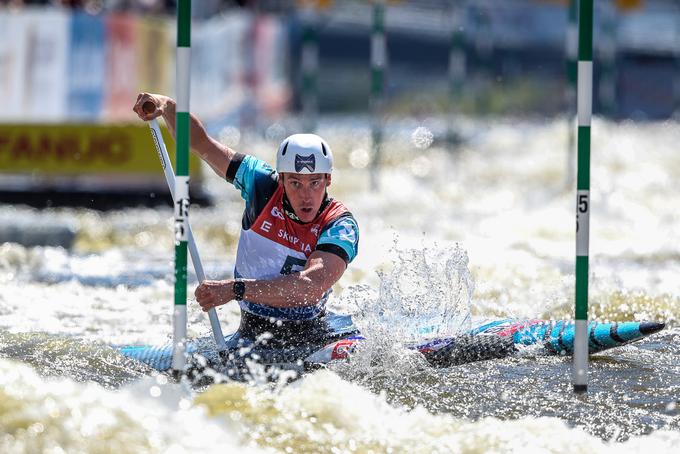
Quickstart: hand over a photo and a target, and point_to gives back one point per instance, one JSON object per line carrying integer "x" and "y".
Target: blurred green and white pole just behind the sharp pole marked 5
{"x": 572, "y": 55}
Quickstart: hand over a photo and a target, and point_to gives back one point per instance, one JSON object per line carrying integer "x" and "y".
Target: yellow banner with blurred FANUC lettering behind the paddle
{"x": 83, "y": 149}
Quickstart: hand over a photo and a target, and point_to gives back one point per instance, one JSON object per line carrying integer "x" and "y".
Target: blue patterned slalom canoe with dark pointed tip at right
{"x": 556, "y": 337}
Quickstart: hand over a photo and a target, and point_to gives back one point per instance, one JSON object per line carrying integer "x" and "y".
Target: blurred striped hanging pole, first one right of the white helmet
{"x": 378, "y": 63}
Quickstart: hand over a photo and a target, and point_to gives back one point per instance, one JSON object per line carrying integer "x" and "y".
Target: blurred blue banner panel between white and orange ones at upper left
{"x": 86, "y": 67}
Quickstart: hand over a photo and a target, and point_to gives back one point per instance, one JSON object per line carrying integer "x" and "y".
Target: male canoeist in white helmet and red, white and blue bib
{"x": 296, "y": 241}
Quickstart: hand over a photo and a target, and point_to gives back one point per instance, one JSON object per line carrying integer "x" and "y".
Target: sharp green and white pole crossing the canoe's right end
{"x": 584, "y": 102}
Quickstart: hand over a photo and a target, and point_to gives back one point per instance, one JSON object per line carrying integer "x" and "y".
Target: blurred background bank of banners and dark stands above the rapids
{"x": 70, "y": 72}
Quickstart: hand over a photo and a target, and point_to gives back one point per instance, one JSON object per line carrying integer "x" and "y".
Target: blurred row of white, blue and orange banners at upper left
{"x": 61, "y": 65}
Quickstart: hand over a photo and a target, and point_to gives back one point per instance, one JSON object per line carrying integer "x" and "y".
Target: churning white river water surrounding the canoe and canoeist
{"x": 486, "y": 231}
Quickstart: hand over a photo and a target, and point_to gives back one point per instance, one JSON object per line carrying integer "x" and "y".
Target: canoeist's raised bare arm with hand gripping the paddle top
{"x": 217, "y": 155}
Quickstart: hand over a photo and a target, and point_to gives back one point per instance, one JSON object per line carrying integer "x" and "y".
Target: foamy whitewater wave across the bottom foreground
{"x": 320, "y": 413}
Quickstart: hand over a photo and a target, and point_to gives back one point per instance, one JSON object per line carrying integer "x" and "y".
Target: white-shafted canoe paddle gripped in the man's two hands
{"x": 193, "y": 250}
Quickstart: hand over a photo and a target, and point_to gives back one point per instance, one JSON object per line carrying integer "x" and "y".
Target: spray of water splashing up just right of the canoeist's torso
{"x": 425, "y": 293}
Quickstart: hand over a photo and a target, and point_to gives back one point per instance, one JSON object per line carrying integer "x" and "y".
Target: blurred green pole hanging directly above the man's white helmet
{"x": 310, "y": 67}
